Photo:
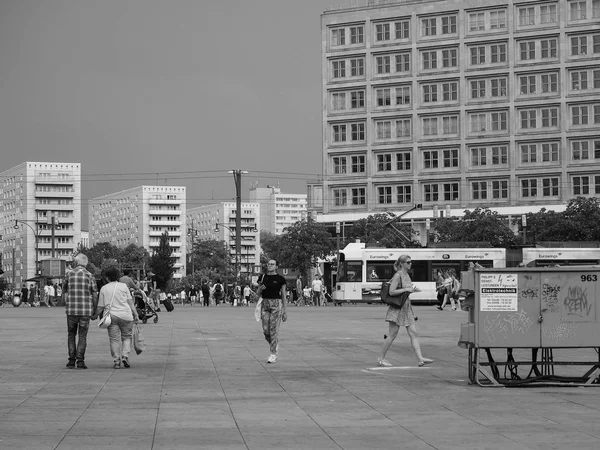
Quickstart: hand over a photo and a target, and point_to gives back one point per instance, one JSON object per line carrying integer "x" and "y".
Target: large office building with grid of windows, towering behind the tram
{"x": 455, "y": 104}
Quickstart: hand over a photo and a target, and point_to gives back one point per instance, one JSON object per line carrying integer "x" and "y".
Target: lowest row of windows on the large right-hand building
{"x": 529, "y": 189}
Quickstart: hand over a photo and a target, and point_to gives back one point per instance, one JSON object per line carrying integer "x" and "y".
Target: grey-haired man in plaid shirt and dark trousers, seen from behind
{"x": 81, "y": 300}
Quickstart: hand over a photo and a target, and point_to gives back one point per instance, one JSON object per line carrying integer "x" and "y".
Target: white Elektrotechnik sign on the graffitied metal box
{"x": 498, "y": 292}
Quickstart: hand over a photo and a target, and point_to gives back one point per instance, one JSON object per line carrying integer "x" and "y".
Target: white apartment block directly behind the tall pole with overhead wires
{"x": 202, "y": 224}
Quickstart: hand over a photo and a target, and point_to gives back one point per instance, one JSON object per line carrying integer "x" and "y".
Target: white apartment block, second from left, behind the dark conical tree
{"x": 140, "y": 216}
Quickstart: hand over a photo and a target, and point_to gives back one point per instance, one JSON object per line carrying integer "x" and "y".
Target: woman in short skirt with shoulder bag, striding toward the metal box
{"x": 404, "y": 316}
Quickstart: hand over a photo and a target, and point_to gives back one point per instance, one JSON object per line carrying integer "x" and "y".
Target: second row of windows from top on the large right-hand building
{"x": 484, "y": 55}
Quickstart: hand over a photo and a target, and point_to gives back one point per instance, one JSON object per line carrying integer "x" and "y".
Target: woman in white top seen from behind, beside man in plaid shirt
{"x": 116, "y": 300}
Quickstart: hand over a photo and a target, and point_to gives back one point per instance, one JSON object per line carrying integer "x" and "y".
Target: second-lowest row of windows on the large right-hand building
{"x": 479, "y": 157}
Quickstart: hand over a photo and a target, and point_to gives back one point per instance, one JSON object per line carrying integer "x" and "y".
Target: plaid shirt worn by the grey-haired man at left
{"x": 81, "y": 292}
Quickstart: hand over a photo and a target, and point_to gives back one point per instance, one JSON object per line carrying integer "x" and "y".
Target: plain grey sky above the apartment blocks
{"x": 167, "y": 92}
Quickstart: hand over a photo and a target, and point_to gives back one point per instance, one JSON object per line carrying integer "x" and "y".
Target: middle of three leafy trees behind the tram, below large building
{"x": 479, "y": 225}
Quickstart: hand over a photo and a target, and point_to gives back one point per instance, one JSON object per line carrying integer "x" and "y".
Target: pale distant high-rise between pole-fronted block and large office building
{"x": 277, "y": 210}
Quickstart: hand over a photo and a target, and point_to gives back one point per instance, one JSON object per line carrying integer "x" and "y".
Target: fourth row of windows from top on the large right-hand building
{"x": 447, "y": 125}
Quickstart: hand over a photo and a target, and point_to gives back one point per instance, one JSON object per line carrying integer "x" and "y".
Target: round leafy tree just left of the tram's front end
{"x": 303, "y": 244}
